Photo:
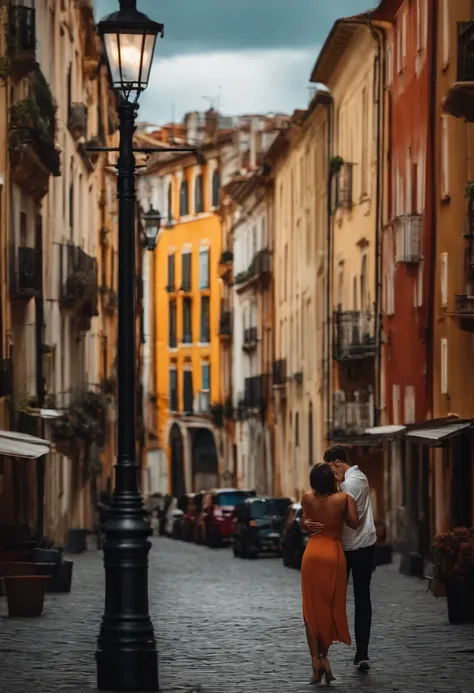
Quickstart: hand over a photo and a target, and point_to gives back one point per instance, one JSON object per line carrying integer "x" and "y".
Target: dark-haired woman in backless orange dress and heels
{"x": 323, "y": 572}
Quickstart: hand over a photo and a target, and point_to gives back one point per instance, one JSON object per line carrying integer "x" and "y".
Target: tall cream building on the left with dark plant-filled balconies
{"x": 53, "y": 219}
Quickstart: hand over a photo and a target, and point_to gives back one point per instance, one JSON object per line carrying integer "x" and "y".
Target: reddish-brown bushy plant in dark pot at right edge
{"x": 453, "y": 563}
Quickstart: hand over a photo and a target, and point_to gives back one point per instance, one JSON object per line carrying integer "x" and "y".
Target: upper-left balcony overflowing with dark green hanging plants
{"x": 31, "y": 141}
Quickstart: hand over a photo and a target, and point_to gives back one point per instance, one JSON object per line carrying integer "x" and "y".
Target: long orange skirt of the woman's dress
{"x": 324, "y": 587}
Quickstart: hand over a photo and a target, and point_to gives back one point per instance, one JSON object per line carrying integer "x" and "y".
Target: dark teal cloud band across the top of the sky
{"x": 208, "y": 26}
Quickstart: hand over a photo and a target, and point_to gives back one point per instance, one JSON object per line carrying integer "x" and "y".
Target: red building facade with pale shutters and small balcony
{"x": 407, "y": 265}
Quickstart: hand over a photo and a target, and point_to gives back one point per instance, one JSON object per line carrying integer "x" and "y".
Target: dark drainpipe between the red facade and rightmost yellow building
{"x": 432, "y": 187}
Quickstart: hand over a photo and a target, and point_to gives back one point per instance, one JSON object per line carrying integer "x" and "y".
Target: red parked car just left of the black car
{"x": 218, "y": 514}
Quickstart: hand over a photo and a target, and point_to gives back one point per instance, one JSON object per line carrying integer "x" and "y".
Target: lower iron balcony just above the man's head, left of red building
{"x": 353, "y": 413}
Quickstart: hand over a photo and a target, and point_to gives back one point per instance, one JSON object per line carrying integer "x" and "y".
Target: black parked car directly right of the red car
{"x": 257, "y": 526}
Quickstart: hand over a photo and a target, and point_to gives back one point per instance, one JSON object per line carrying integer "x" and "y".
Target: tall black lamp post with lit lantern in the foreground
{"x": 126, "y": 653}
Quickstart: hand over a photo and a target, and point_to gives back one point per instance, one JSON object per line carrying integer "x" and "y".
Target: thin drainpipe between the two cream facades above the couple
{"x": 329, "y": 262}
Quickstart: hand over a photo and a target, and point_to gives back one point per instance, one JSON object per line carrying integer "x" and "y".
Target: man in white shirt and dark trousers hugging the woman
{"x": 358, "y": 544}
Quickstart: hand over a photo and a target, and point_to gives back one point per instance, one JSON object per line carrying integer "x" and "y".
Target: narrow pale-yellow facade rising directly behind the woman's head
{"x": 298, "y": 163}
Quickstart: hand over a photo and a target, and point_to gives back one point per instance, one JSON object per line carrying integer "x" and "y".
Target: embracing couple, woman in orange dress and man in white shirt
{"x": 342, "y": 540}
